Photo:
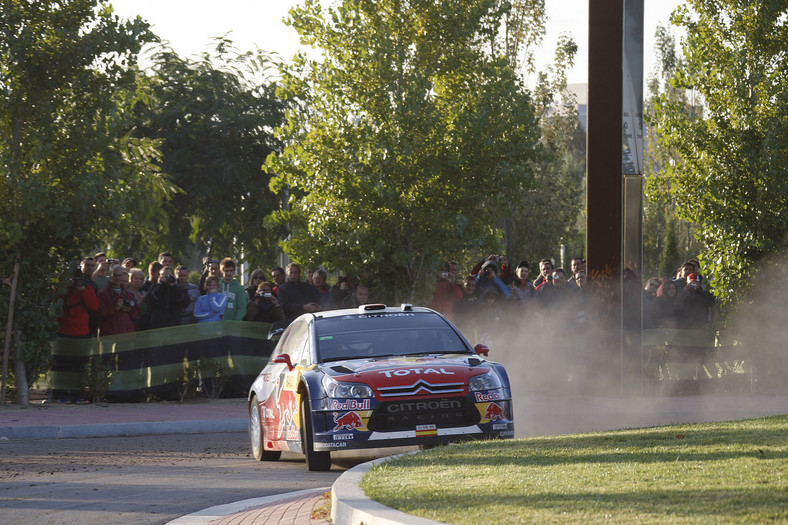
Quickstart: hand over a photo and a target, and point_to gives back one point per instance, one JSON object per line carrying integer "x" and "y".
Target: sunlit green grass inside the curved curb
{"x": 730, "y": 472}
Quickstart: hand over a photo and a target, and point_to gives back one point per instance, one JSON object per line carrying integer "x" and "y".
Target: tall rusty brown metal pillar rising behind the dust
{"x": 604, "y": 190}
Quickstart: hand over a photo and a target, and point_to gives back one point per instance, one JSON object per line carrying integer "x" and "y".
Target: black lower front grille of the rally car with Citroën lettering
{"x": 406, "y": 415}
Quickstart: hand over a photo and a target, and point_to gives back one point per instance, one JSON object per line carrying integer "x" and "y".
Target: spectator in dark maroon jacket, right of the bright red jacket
{"x": 118, "y": 309}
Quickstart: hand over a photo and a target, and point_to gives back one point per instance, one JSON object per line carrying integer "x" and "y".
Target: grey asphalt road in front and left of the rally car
{"x": 143, "y": 480}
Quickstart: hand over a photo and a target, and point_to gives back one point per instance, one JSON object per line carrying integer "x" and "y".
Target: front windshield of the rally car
{"x": 386, "y": 334}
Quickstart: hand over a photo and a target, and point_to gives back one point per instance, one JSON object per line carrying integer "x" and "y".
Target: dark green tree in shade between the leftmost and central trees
{"x": 215, "y": 116}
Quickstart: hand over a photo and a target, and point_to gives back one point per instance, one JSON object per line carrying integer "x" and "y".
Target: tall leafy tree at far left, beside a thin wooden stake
{"x": 69, "y": 166}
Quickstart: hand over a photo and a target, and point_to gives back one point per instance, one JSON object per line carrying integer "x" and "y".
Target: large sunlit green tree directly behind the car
{"x": 403, "y": 141}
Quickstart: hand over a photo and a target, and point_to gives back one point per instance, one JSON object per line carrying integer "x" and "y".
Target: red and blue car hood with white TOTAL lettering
{"x": 416, "y": 374}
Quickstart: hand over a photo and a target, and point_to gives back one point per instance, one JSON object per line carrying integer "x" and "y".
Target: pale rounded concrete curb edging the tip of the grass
{"x": 349, "y": 504}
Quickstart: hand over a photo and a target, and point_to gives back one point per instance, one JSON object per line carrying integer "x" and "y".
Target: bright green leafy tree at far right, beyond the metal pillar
{"x": 731, "y": 182}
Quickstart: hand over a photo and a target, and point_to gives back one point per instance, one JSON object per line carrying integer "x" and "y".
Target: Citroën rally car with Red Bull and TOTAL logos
{"x": 374, "y": 377}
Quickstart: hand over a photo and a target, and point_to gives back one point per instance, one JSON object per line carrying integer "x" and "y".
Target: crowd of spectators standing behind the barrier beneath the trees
{"x": 107, "y": 296}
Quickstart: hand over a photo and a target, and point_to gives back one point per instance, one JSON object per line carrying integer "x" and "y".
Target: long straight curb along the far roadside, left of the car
{"x": 123, "y": 429}
